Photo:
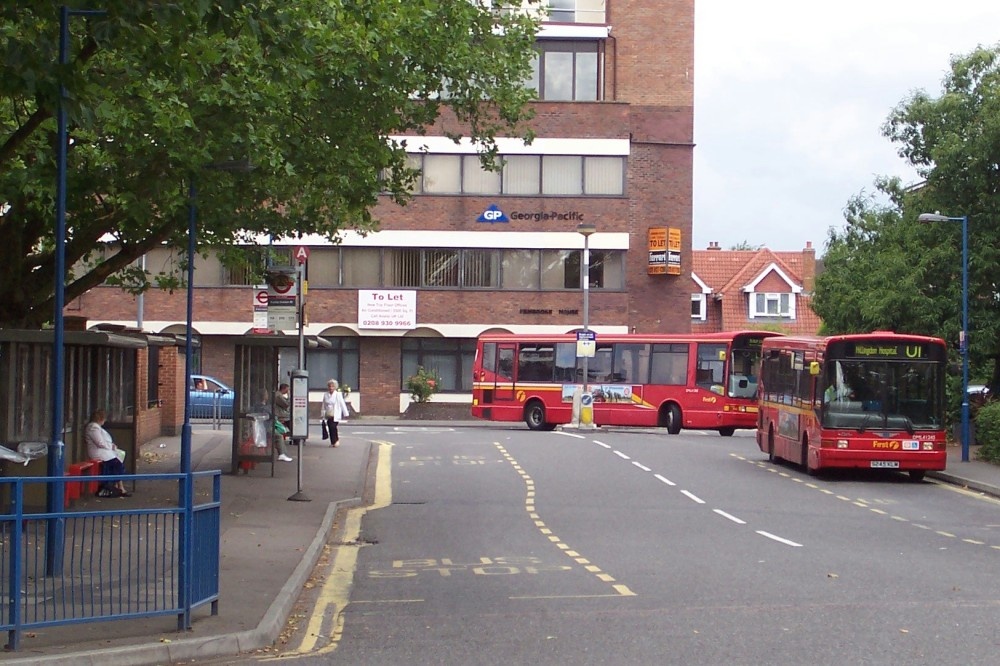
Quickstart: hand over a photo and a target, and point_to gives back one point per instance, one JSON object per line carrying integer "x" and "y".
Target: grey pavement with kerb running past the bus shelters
{"x": 270, "y": 545}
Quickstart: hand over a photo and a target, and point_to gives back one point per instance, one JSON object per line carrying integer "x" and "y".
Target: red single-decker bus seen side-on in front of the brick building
{"x": 670, "y": 381}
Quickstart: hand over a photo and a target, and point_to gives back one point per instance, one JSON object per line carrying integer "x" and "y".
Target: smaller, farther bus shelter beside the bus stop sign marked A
{"x": 256, "y": 379}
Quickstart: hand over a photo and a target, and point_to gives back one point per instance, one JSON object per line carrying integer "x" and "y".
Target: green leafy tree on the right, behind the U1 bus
{"x": 885, "y": 270}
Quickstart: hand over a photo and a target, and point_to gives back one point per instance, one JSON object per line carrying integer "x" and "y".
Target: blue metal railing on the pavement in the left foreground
{"x": 111, "y": 564}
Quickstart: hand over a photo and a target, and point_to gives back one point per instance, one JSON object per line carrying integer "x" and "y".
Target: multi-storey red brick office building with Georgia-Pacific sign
{"x": 481, "y": 251}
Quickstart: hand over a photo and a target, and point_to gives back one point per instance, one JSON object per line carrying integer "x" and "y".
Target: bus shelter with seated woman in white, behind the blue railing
{"x": 101, "y": 372}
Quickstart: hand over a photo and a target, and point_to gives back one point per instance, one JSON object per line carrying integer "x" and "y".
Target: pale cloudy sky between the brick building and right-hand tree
{"x": 790, "y": 96}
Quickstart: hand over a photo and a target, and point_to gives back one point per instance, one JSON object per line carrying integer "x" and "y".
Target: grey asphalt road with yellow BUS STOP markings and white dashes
{"x": 504, "y": 546}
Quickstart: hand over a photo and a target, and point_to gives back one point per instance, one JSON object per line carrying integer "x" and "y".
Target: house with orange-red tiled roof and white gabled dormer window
{"x": 745, "y": 289}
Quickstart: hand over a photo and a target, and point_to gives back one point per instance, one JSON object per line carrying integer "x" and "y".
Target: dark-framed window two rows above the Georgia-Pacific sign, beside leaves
{"x": 565, "y": 70}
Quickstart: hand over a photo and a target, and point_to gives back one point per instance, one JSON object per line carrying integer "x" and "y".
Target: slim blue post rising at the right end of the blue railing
{"x": 185, "y": 576}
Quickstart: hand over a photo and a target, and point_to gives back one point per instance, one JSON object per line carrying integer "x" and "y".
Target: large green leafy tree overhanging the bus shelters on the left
{"x": 309, "y": 92}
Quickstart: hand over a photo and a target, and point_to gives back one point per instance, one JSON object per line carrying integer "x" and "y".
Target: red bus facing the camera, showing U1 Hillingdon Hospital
{"x": 872, "y": 401}
